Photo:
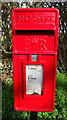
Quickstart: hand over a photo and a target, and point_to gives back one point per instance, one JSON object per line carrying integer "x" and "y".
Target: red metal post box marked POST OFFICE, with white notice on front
{"x": 35, "y": 43}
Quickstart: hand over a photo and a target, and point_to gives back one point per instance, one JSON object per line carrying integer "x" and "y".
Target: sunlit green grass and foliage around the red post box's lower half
{"x": 59, "y": 112}
